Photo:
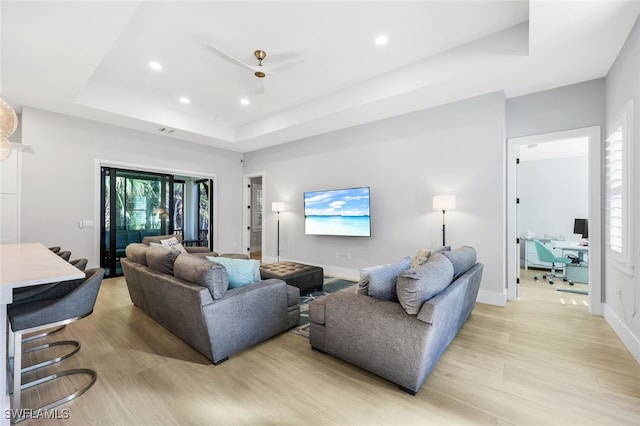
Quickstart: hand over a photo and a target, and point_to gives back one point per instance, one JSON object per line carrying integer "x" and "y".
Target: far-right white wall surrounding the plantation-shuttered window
{"x": 623, "y": 291}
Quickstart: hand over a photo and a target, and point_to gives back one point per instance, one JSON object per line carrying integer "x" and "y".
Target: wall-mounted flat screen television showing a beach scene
{"x": 343, "y": 212}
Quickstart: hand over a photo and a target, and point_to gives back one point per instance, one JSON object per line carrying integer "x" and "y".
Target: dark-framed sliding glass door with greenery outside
{"x": 137, "y": 204}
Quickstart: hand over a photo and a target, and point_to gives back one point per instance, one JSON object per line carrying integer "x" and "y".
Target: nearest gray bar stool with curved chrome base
{"x": 59, "y": 305}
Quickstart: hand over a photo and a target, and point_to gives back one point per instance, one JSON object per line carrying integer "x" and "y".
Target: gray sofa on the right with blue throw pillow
{"x": 400, "y": 339}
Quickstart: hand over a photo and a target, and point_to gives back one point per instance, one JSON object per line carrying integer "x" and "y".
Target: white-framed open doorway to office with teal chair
{"x": 553, "y": 201}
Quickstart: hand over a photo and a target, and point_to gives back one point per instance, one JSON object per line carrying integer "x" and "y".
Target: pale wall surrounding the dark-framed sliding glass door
{"x": 59, "y": 177}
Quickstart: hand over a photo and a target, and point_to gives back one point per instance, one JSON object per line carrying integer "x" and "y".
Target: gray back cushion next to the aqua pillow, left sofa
{"x": 202, "y": 272}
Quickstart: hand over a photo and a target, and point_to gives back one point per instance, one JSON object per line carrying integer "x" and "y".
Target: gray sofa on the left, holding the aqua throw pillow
{"x": 190, "y": 297}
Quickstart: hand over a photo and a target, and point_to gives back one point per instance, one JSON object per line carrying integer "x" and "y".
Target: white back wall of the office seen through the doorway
{"x": 553, "y": 192}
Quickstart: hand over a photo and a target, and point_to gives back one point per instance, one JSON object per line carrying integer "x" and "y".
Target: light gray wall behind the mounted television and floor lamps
{"x": 456, "y": 148}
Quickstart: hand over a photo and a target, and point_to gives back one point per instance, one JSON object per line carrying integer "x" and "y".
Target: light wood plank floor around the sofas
{"x": 540, "y": 361}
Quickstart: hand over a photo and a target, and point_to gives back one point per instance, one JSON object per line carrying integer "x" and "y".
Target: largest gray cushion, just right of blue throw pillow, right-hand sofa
{"x": 417, "y": 285}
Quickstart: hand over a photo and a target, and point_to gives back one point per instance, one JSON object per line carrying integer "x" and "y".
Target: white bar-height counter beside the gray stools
{"x": 23, "y": 265}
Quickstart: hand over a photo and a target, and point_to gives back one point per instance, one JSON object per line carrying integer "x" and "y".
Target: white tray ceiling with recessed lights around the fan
{"x": 90, "y": 59}
